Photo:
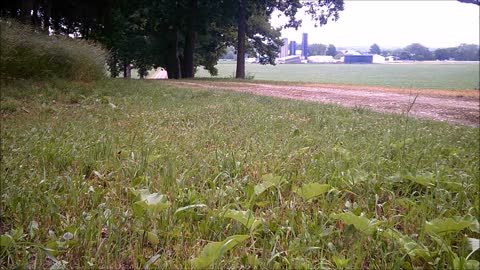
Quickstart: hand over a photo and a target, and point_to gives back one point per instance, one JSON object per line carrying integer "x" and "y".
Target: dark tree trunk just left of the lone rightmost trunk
{"x": 189, "y": 50}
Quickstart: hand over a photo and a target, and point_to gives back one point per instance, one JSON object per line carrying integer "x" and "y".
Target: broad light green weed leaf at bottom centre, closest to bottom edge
{"x": 215, "y": 250}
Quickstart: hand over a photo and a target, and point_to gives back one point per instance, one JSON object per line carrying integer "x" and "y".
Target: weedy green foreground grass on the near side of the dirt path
{"x": 119, "y": 174}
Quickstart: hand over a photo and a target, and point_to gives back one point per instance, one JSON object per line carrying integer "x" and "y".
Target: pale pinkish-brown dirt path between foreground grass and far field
{"x": 460, "y": 107}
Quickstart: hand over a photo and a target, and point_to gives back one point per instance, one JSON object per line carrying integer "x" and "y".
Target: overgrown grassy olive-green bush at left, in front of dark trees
{"x": 27, "y": 53}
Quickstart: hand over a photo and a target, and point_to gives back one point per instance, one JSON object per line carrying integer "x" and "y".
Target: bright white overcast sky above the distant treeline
{"x": 435, "y": 24}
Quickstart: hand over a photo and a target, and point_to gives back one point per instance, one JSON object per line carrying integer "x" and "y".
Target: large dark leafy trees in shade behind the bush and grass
{"x": 179, "y": 35}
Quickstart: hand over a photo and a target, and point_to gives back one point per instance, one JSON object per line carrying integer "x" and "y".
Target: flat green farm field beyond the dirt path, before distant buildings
{"x": 417, "y": 75}
